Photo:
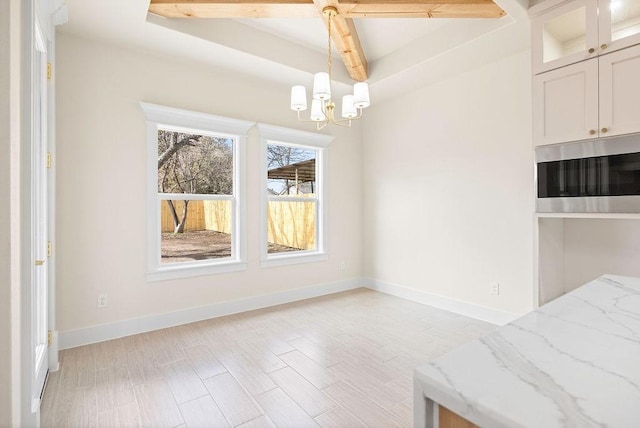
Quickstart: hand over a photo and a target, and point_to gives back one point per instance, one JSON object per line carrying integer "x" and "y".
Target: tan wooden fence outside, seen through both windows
{"x": 291, "y": 224}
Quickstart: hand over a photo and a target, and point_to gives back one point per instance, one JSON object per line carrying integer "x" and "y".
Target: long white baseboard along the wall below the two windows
{"x": 100, "y": 333}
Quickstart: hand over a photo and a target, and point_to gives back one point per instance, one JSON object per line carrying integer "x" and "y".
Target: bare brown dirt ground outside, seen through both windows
{"x": 202, "y": 245}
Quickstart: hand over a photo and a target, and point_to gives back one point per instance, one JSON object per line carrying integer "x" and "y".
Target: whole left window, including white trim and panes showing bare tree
{"x": 195, "y": 191}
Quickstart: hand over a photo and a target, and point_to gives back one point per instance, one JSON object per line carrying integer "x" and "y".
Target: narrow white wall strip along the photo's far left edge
{"x": 10, "y": 269}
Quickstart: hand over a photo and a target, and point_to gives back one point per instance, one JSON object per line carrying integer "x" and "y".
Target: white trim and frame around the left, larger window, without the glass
{"x": 159, "y": 116}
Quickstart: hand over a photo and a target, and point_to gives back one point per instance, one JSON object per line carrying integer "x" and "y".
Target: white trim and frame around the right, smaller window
{"x": 304, "y": 139}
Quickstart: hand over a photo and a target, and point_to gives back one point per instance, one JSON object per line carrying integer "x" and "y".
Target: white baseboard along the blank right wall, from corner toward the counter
{"x": 470, "y": 310}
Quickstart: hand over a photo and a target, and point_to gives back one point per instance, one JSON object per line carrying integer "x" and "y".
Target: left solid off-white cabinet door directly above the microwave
{"x": 565, "y": 104}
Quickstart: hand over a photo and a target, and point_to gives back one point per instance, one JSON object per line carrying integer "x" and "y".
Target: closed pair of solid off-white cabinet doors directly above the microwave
{"x": 596, "y": 98}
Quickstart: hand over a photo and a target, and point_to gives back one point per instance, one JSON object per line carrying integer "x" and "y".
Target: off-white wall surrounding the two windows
{"x": 100, "y": 214}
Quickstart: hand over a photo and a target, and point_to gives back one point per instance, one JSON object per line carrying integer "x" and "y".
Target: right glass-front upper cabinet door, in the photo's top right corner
{"x": 619, "y": 24}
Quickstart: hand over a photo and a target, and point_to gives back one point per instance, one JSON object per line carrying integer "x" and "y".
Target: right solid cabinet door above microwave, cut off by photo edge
{"x": 620, "y": 92}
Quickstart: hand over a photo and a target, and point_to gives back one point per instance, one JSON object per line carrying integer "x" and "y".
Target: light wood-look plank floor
{"x": 344, "y": 360}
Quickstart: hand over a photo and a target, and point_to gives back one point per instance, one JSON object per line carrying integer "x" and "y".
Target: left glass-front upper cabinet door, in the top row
{"x": 565, "y": 35}
